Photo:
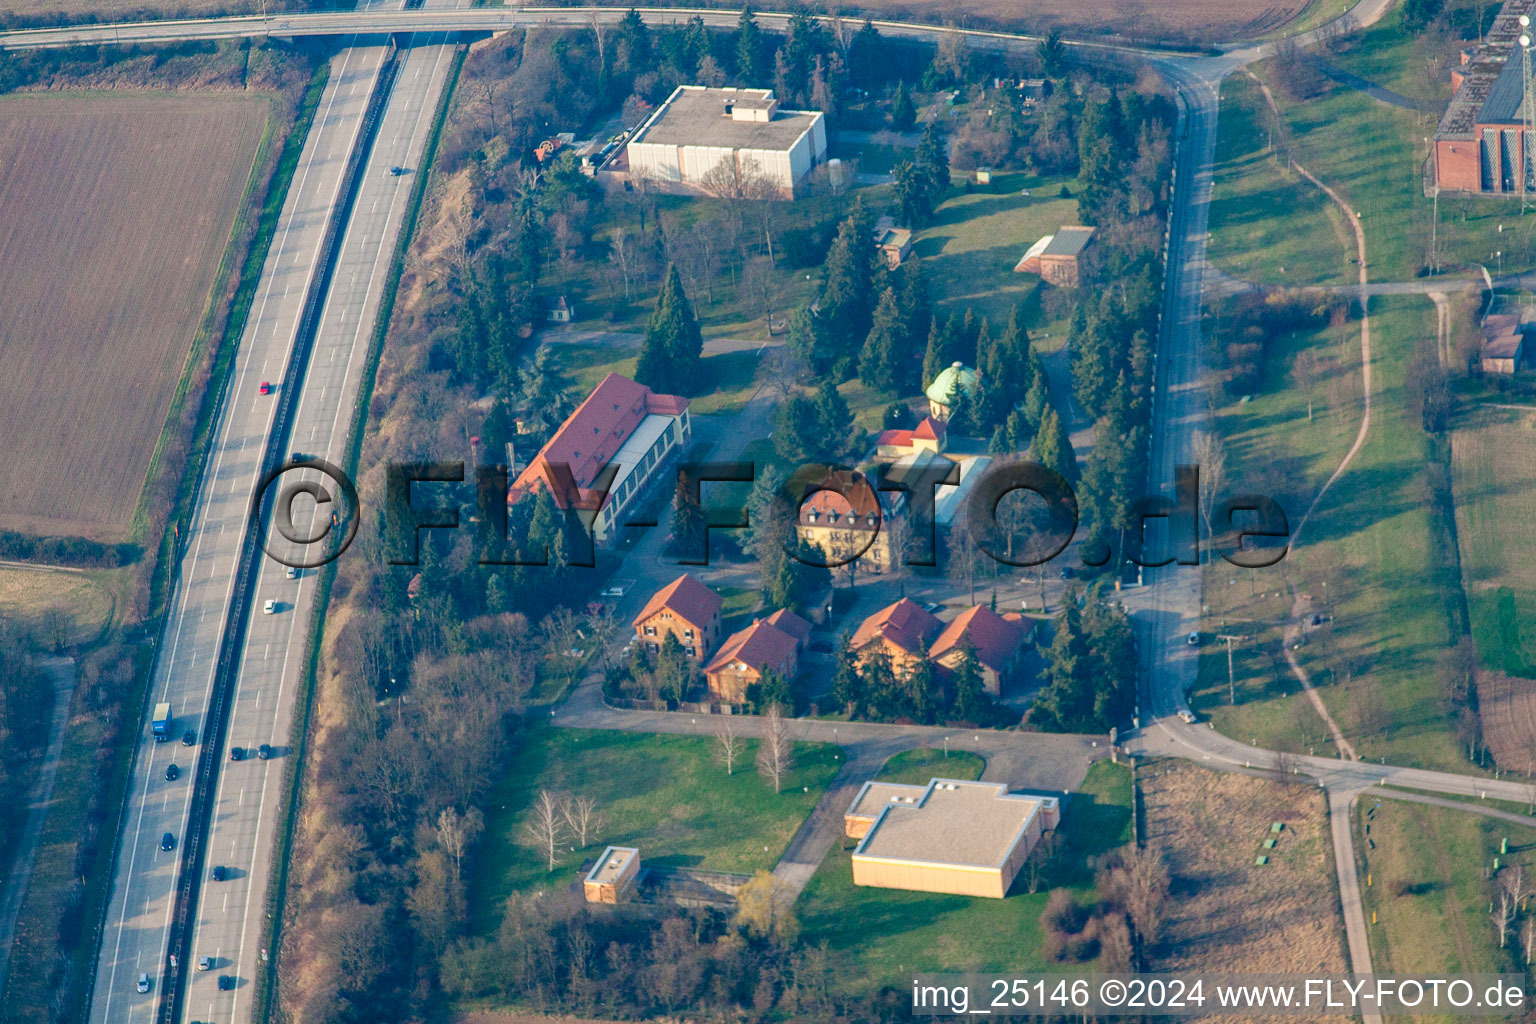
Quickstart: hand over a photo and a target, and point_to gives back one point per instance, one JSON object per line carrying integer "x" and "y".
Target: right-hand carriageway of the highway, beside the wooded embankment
{"x": 231, "y": 922}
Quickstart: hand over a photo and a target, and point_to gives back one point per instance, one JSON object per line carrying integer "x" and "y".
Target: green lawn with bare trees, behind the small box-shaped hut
{"x": 664, "y": 794}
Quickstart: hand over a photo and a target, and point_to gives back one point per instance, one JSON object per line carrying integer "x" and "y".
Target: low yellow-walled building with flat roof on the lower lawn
{"x": 959, "y": 837}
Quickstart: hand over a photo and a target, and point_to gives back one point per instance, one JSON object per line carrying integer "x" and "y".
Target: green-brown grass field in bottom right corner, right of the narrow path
{"x": 1428, "y": 888}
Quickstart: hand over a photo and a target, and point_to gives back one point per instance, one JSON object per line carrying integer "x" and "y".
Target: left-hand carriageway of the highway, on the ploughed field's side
{"x": 139, "y": 914}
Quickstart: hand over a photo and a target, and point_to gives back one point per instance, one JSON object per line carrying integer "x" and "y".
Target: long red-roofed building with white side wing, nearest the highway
{"x": 621, "y": 424}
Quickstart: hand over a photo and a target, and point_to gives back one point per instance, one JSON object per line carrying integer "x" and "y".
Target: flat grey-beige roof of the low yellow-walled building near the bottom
{"x": 965, "y": 824}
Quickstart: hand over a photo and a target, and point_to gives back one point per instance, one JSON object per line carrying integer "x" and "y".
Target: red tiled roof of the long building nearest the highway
{"x": 584, "y": 444}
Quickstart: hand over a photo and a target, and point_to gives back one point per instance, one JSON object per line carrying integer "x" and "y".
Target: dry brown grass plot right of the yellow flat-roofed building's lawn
{"x": 1231, "y": 914}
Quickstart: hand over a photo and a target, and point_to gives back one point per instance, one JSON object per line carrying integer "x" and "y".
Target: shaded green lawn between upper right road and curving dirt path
{"x": 1268, "y": 223}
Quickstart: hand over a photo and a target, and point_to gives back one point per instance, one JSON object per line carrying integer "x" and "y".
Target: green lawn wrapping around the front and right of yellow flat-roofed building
{"x": 887, "y": 934}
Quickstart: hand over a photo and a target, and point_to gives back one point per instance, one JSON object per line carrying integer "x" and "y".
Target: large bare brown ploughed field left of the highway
{"x": 114, "y": 214}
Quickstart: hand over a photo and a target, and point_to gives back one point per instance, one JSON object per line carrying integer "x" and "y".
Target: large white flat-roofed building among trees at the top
{"x": 709, "y": 140}
